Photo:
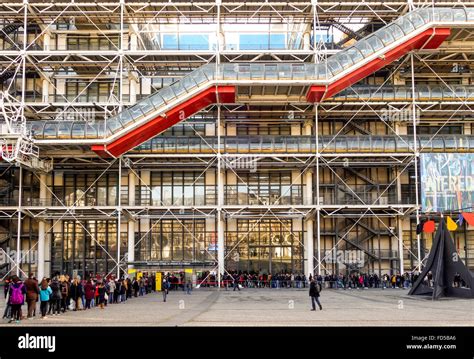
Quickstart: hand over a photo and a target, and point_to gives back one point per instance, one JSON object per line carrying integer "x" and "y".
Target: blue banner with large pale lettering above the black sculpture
{"x": 447, "y": 182}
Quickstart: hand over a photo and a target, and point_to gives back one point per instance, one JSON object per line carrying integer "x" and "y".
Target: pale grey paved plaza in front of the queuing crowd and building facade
{"x": 269, "y": 307}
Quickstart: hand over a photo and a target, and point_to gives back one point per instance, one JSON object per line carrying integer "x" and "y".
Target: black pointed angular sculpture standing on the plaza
{"x": 444, "y": 263}
